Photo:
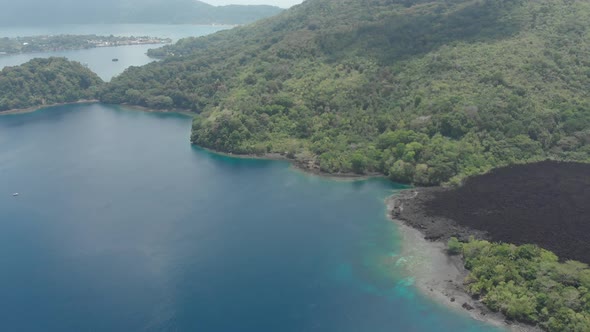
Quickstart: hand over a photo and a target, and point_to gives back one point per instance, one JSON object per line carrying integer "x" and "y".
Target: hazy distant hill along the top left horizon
{"x": 33, "y": 12}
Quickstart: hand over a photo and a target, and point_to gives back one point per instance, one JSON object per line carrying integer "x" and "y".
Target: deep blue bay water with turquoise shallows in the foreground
{"x": 121, "y": 225}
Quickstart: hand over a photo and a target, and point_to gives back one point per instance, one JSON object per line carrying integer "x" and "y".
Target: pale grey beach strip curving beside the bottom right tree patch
{"x": 438, "y": 275}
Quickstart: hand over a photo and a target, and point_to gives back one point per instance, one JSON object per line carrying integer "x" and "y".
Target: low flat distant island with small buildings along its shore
{"x": 48, "y": 43}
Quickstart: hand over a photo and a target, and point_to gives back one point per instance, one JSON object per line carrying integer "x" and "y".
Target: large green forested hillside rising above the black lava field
{"x": 422, "y": 91}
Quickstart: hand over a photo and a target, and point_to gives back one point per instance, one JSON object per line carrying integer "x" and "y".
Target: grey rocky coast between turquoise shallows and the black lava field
{"x": 437, "y": 274}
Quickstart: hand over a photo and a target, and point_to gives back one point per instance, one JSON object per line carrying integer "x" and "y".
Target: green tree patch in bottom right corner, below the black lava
{"x": 528, "y": 284}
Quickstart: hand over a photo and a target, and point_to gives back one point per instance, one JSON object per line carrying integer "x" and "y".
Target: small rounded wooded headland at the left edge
{"x": 45, "y": 82}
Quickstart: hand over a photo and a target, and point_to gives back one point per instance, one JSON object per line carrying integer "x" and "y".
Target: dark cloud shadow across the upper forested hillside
{"x": 424, "y": 29}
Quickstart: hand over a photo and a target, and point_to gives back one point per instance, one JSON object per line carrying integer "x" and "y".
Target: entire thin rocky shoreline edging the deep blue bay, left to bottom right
{"x": 437, "y": 275}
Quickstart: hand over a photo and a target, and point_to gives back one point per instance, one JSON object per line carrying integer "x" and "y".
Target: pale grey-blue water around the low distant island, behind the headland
{"x": 99, "y": 60}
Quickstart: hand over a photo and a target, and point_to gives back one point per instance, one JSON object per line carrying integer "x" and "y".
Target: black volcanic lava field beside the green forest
{"x": 545, "y": 203}
